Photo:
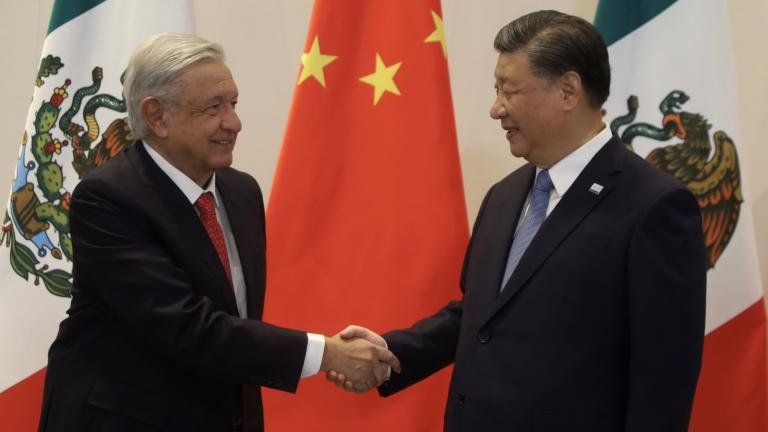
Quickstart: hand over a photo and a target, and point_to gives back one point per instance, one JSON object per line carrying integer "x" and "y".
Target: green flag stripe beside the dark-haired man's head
{"x": 616, "y": 18}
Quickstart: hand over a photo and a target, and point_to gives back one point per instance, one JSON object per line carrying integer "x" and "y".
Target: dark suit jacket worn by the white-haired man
{"x": 153, "y": 341}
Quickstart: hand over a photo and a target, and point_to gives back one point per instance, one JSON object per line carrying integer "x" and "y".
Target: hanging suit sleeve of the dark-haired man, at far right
{"x": 666, "y": 289}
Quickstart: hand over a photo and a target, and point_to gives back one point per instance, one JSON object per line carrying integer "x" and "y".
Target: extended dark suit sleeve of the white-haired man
{"x": 121, "y": 262}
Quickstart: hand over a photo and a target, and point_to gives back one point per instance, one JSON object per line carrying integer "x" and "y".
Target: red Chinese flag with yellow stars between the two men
{"x": 366, "y": 220}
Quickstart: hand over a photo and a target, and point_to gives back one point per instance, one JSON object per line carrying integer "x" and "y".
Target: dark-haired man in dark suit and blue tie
{"x": 584, "y": 280}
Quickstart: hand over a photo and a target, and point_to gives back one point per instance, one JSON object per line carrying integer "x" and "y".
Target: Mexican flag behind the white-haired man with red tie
{"x": 76, "y": 121}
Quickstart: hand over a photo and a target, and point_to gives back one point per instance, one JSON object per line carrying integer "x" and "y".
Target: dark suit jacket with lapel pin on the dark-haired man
{"x": 601, "y": 326}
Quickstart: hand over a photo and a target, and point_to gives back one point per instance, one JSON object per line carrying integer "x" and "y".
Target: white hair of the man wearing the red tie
{"x": 154, "y": 70}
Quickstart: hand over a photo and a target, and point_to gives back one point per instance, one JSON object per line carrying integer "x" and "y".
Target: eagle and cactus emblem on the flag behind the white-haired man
{"x": 56, "y": 146}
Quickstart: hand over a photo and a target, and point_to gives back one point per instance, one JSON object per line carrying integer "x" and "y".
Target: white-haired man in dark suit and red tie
{"x": 164, "y": 331}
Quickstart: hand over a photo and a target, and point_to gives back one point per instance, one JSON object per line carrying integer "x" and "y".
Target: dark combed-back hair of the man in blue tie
{"x": 557, "y": 43}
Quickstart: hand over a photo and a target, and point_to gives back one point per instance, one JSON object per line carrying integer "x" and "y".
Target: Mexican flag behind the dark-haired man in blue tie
{"x": 673, "y": 101}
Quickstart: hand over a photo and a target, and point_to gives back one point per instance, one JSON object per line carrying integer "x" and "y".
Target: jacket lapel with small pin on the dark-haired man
{"x": 572, "y": 209}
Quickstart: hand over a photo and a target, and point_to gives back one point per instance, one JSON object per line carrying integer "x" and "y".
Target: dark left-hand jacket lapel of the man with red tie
{"x": 186, "y": 229}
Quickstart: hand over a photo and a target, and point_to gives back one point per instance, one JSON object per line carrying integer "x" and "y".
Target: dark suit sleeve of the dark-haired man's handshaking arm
{"x": 430, "y": 344}
